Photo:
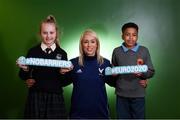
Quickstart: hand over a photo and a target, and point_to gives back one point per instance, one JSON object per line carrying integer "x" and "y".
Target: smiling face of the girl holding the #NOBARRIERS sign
{"x": 48, "y": 33}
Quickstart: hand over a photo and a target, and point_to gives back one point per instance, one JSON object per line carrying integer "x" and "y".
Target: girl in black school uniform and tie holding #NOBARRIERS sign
{"x": 45, "y": 98}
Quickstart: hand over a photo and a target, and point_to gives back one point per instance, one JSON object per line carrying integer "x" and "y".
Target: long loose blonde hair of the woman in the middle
{"x": 81, "y": 52}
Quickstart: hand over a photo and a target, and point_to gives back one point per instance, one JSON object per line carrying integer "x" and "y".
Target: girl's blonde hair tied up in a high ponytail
{"x": 51, "y": 20}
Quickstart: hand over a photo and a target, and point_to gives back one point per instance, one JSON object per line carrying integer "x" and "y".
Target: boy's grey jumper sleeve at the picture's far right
{"x": 151, "y": 71}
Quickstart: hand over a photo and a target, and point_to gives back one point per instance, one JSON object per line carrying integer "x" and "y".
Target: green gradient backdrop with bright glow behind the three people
{"x": 159, "y": 22}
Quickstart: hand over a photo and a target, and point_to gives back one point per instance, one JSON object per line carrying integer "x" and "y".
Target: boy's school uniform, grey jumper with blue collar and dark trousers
{"x": 130, "y": 94}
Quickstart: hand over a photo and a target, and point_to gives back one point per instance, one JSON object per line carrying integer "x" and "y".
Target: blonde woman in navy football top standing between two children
{"x": 89, "y": 98}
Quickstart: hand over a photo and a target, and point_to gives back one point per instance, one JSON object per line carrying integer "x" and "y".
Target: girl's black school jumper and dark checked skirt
{"x": 45, "y": 98}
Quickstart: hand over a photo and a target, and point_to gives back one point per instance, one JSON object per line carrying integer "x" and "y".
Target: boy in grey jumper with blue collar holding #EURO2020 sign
{"x": 130, "y": 88}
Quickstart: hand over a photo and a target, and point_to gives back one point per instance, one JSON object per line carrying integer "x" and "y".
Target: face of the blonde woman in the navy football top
{"x": 89, "y": 45}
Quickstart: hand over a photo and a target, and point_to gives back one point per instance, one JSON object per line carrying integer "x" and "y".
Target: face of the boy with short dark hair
{"x": 130, "y": 36}
